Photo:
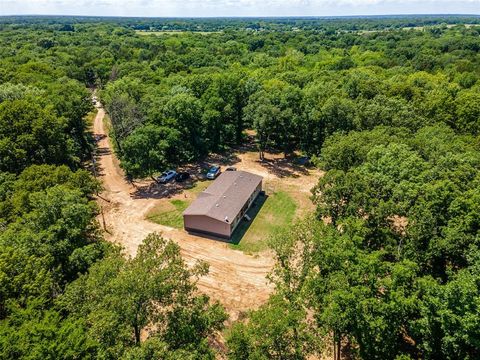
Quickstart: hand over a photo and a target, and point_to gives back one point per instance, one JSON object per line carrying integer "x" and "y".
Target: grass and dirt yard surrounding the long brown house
{"x": 287, "y": 187}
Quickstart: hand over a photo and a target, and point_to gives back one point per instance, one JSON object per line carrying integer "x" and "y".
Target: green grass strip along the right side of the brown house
{"x": 269, "y": 214}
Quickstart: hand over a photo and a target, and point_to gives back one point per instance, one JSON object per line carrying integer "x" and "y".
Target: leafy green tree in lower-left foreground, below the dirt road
{"x": 153, "y": 293}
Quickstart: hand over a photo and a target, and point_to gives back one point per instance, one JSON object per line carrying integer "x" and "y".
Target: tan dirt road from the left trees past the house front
{"x": 237, "y": 280}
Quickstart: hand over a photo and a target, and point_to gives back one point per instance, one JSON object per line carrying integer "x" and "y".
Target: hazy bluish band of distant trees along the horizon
{"x": 334, "y": 23}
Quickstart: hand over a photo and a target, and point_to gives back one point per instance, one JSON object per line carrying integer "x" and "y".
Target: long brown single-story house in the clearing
{"x": 219, "y": 208}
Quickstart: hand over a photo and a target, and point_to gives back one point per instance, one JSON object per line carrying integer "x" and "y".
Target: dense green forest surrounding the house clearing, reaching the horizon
{"x": 386, "y": 267}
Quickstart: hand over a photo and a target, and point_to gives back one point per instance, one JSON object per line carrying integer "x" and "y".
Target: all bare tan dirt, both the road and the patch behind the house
{"x": 236, "y": 279}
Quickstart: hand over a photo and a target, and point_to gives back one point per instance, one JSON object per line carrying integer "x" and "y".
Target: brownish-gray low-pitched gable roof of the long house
{"x": 225, "y": 197}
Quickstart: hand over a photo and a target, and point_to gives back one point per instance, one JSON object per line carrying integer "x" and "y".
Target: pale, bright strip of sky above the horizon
{"x": 209, "y": 8}
